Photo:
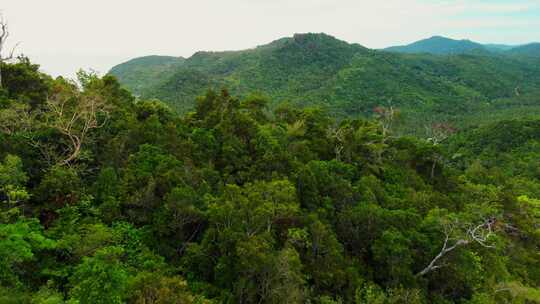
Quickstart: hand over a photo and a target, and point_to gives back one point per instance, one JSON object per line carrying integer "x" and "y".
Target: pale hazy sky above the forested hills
{"x": 65, "y": 35}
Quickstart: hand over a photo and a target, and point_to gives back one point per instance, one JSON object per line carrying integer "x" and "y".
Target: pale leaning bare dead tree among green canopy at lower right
{"x": 478, "y": 234}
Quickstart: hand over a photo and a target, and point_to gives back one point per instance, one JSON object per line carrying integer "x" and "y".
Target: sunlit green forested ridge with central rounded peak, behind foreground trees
{"x": 350, "y": 80}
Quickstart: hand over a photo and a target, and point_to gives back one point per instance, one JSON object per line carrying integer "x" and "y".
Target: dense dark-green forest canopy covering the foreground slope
{"x": 106, "y": 198}
